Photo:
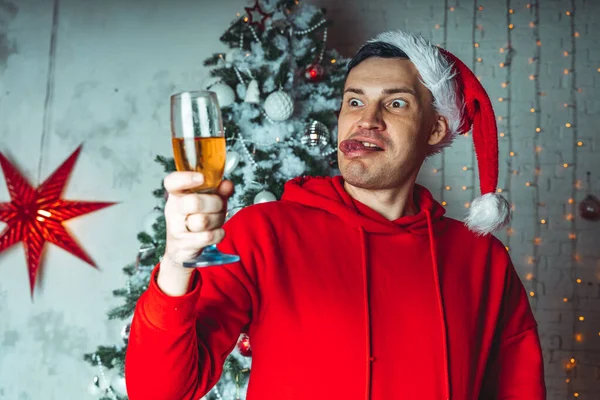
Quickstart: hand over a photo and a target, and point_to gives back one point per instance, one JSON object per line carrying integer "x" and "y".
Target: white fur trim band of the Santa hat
{"x": 436, "y": 74}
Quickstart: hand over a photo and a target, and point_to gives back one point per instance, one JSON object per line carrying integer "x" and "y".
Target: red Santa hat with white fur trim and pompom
{"x": 460, "y": 98}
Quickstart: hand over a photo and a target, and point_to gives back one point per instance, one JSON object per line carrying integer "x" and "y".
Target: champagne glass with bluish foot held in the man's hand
{"x": 199, "y": 145}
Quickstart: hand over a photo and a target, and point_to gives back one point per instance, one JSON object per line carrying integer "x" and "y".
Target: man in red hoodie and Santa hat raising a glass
{"x": 356, "y": 286}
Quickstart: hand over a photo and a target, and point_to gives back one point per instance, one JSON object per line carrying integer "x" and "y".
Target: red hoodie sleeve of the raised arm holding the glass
{"x": 177, "y": 345}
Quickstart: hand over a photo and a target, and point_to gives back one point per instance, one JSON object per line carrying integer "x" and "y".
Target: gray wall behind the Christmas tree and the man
{"x": 106, "y": 85}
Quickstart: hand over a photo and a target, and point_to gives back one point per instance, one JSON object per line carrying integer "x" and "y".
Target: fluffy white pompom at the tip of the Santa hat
{"x": 488, "y": 213}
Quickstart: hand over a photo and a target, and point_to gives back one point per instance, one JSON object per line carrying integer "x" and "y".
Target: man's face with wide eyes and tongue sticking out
{"x": 385, "y": 124}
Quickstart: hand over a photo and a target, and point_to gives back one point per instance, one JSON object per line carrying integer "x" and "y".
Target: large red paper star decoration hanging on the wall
{"x": 36, "y": 216}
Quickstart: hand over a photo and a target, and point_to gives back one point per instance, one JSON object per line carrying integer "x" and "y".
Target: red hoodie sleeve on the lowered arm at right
{"x": 515, "y": 368}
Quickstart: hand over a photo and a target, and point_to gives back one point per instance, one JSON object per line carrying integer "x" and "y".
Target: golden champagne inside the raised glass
{"x": 201, "y": 154}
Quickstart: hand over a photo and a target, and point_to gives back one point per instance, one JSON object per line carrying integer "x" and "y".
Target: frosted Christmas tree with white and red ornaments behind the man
{"x": 279, "y": 89}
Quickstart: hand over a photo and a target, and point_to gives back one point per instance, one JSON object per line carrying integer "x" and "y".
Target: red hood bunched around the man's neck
{"x": 328, "y": 194}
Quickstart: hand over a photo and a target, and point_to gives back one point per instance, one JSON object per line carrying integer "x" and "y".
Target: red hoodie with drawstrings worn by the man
{"x": 341, "y": 303}
